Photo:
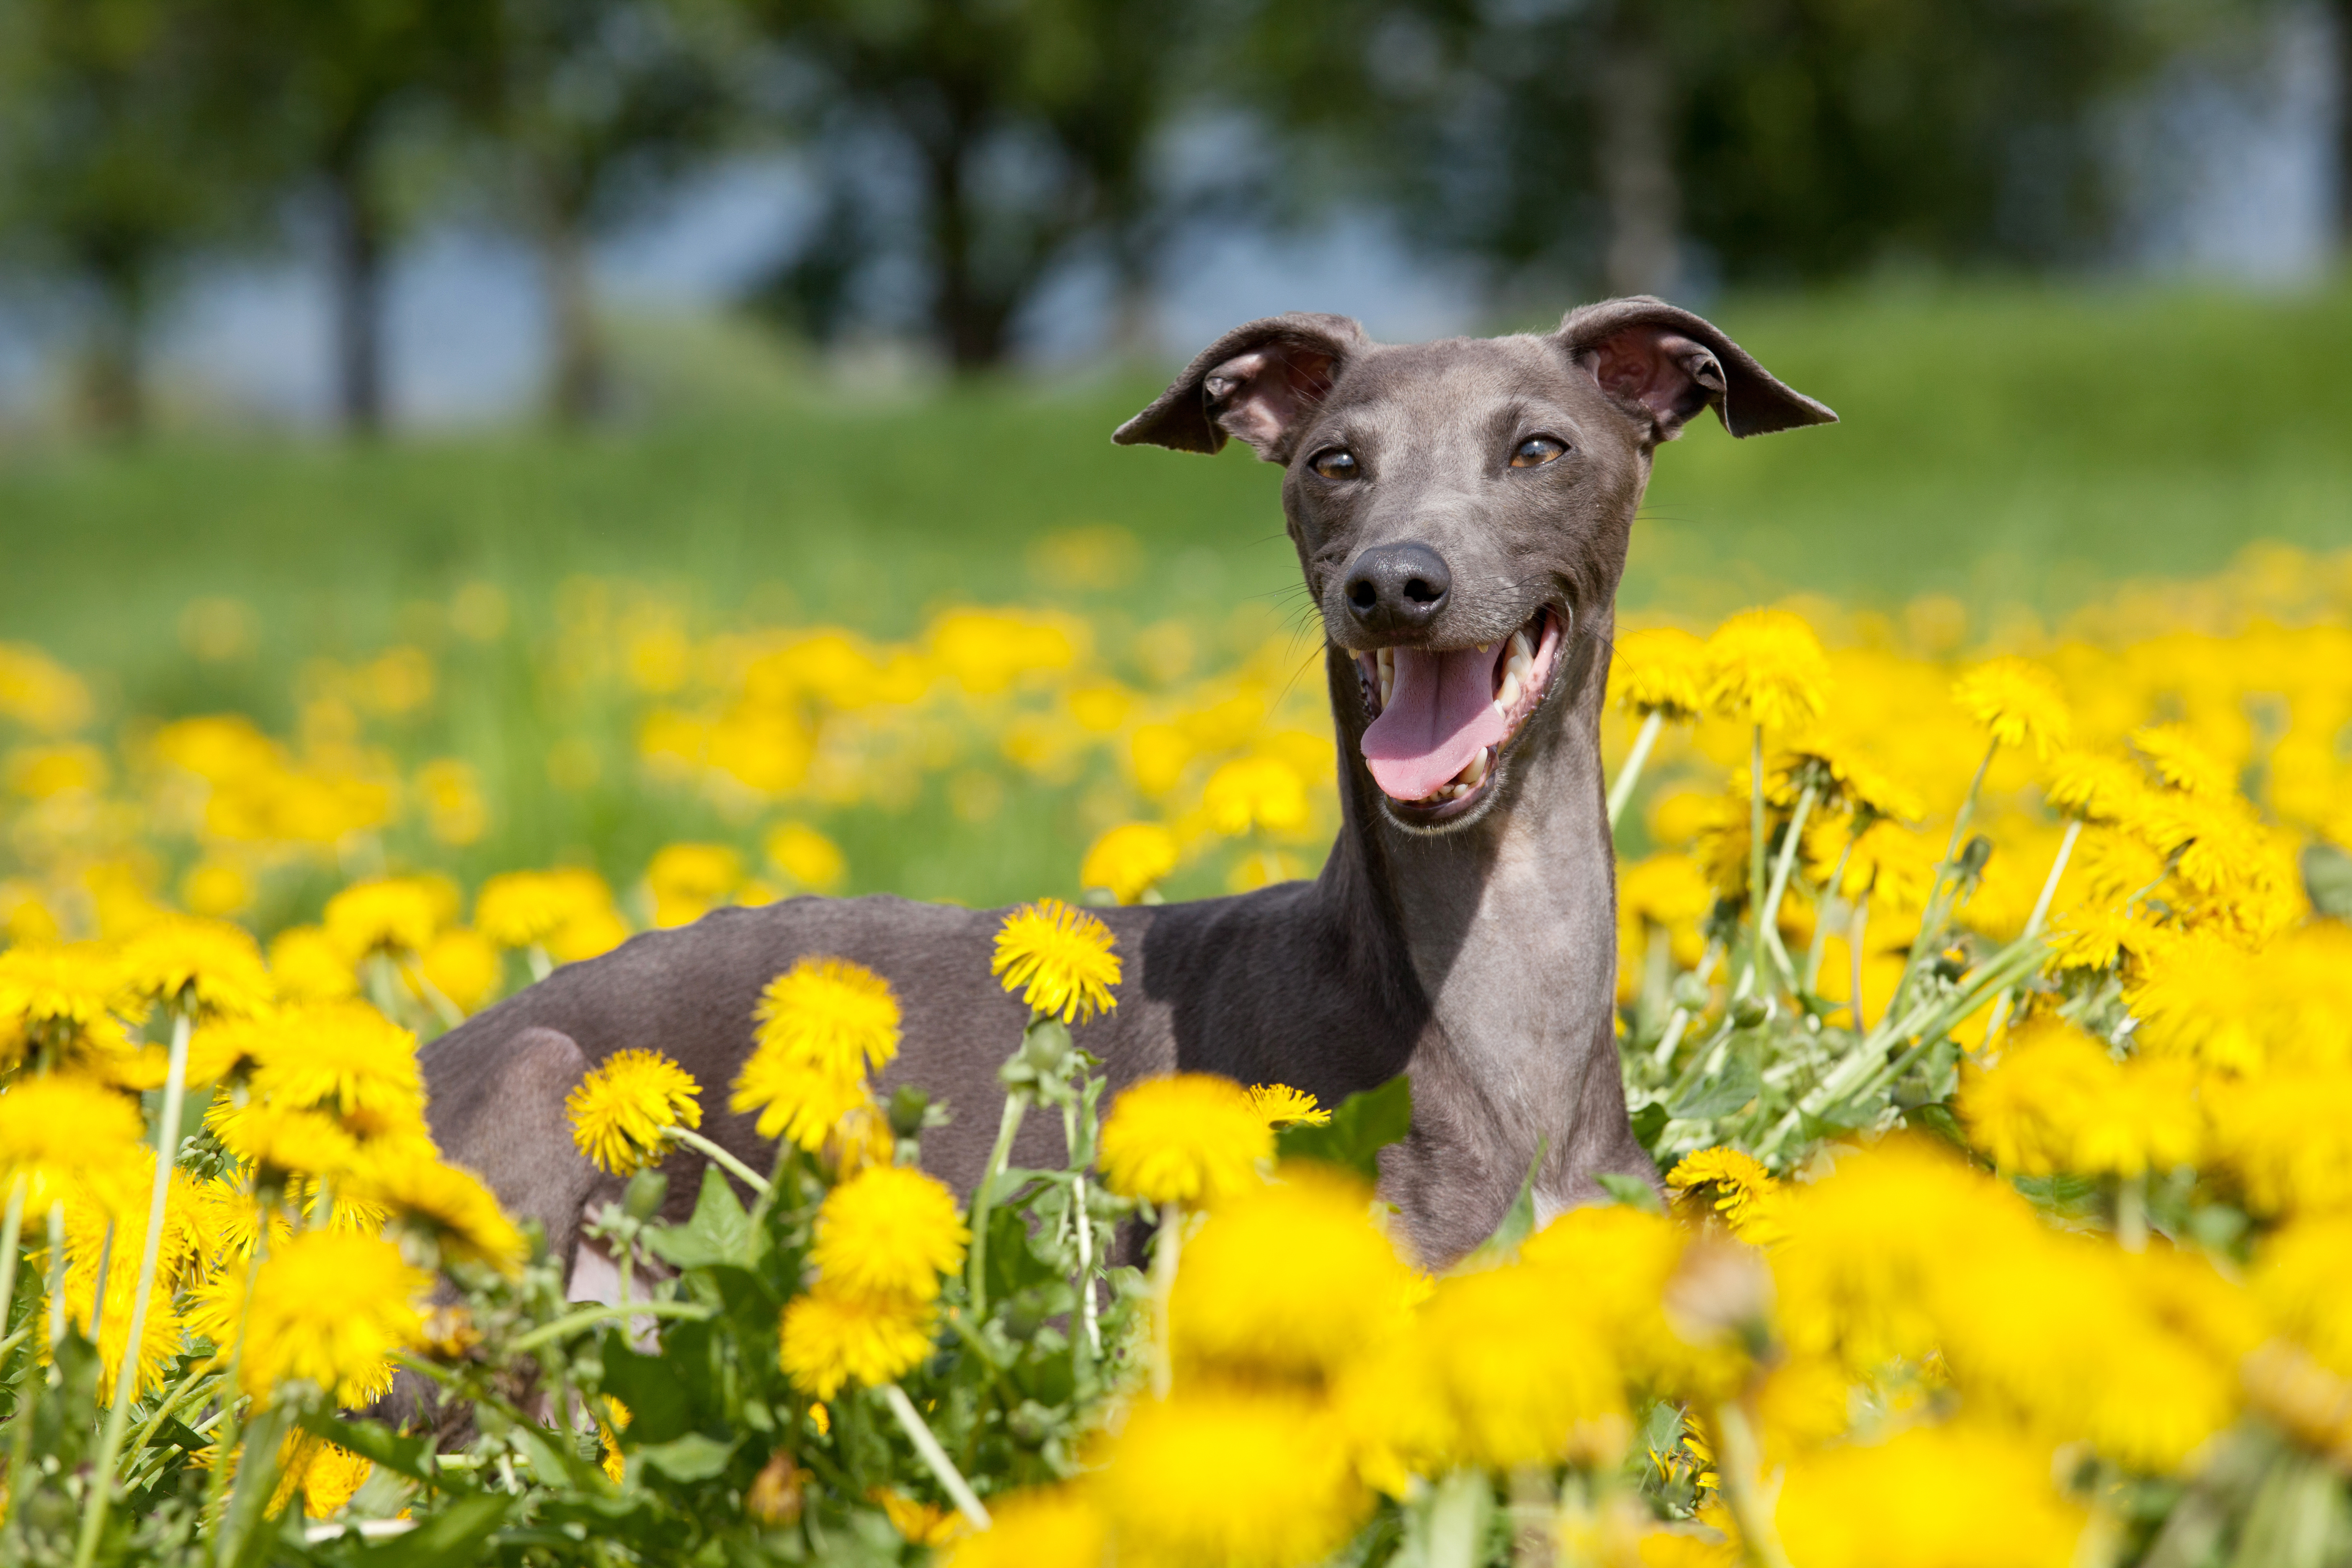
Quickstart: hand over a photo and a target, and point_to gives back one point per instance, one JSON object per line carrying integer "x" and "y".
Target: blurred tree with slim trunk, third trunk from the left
{"x": 599, "y": 102}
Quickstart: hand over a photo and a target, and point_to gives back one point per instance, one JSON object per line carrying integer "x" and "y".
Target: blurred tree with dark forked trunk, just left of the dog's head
{"x": 1020, "y": 133}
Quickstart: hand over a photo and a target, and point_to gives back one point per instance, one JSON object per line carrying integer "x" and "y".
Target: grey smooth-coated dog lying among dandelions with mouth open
{"x": 1462, "y": 516}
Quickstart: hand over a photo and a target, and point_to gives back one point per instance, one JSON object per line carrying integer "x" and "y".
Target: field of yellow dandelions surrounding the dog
{"x": 1986, "y": 1007}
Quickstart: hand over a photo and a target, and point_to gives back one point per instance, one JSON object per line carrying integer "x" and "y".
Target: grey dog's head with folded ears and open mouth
{"x": 1462, "y": 509}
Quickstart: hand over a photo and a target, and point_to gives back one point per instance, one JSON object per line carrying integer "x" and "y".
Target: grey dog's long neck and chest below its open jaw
{"x": 1509, "y": 930}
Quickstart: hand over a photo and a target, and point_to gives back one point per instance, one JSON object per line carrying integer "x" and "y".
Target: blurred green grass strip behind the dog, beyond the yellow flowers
{"x": 2005, "y": 445}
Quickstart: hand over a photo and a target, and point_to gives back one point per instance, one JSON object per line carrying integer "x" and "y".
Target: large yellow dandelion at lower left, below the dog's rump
{"x": 330, "y": 1308}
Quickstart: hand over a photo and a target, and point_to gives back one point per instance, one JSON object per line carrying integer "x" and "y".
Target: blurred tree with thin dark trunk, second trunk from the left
{"x": 338, "y": 86}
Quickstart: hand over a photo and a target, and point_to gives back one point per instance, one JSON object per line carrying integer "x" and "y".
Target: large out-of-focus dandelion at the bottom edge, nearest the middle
{"x": 1238, "y": 1477}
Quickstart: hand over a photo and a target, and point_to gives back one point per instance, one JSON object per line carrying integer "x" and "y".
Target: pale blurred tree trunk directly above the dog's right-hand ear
{"x": 1638, "y": 156}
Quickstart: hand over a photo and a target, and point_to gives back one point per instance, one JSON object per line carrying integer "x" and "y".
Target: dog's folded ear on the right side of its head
{"x": 1669, "y": 366}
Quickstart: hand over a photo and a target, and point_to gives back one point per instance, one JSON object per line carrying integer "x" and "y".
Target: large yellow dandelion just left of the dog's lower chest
{"x": 1184, "y": 1139}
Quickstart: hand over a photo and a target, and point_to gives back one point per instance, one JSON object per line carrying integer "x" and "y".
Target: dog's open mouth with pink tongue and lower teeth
{"x": 1443, "y": 716}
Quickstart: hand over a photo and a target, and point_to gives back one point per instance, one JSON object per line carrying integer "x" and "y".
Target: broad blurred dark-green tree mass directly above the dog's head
{"x": 1786, "y": 140}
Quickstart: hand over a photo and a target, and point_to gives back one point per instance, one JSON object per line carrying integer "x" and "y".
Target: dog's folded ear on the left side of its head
{"x": 1257, "y": 382}
